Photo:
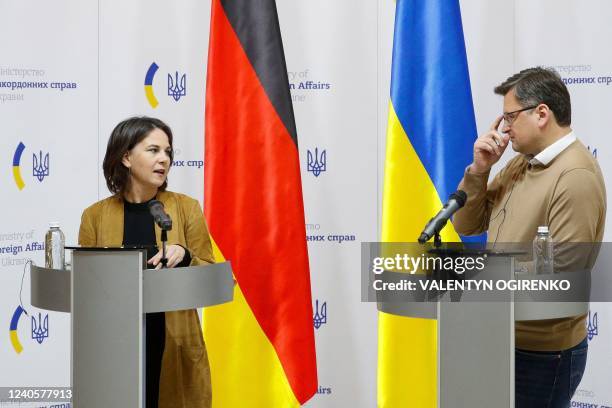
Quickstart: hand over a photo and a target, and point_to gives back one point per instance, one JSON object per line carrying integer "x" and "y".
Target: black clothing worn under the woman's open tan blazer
{"x": 139, "y": 230}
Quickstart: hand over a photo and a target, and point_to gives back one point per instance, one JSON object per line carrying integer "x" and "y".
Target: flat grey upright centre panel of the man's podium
{"x": 476, "y": 348}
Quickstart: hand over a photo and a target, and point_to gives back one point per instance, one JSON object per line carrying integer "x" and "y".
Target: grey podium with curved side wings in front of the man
{"x": 475, "y": 346}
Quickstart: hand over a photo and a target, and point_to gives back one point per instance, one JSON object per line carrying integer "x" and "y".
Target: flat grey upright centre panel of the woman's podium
{"x": 107, "y": 328}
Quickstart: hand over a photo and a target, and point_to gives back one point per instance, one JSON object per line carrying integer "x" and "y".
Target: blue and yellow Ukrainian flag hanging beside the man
{"x": 430, "y": 135}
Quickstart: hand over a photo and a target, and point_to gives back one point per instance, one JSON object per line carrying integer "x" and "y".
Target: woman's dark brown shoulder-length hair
{"x": 124, "y": 137}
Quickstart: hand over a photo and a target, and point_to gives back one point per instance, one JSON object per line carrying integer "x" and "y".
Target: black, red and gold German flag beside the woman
{"x": 261, "y": 346}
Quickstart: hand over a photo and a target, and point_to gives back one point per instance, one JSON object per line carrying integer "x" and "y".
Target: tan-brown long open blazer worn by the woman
{"x": 185, "y": 374}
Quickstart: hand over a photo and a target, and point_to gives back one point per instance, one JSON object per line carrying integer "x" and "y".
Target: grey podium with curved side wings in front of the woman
{"x": 107, "y": 293}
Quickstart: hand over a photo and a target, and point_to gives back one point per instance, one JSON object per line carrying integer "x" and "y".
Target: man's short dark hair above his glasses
{"x": 533, "y": 86}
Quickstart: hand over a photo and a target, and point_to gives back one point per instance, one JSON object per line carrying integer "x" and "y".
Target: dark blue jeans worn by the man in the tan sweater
{"x": 548, "y": 379}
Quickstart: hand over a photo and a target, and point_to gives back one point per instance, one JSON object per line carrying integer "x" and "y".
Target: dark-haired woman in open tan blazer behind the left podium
{"x": 136, "y": 165}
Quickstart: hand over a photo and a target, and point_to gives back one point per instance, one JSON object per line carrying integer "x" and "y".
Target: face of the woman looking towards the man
{"x": 149, "y": 161}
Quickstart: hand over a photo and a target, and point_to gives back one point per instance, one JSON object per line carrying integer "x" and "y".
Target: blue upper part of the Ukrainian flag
{"x": 430, "y": 88}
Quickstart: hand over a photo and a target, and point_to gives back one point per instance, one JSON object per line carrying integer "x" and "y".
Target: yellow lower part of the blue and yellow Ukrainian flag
{"x": 407, "y": 346}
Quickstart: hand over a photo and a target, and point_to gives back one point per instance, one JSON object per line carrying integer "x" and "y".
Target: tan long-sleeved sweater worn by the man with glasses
{"x": 568, "y": 195}
